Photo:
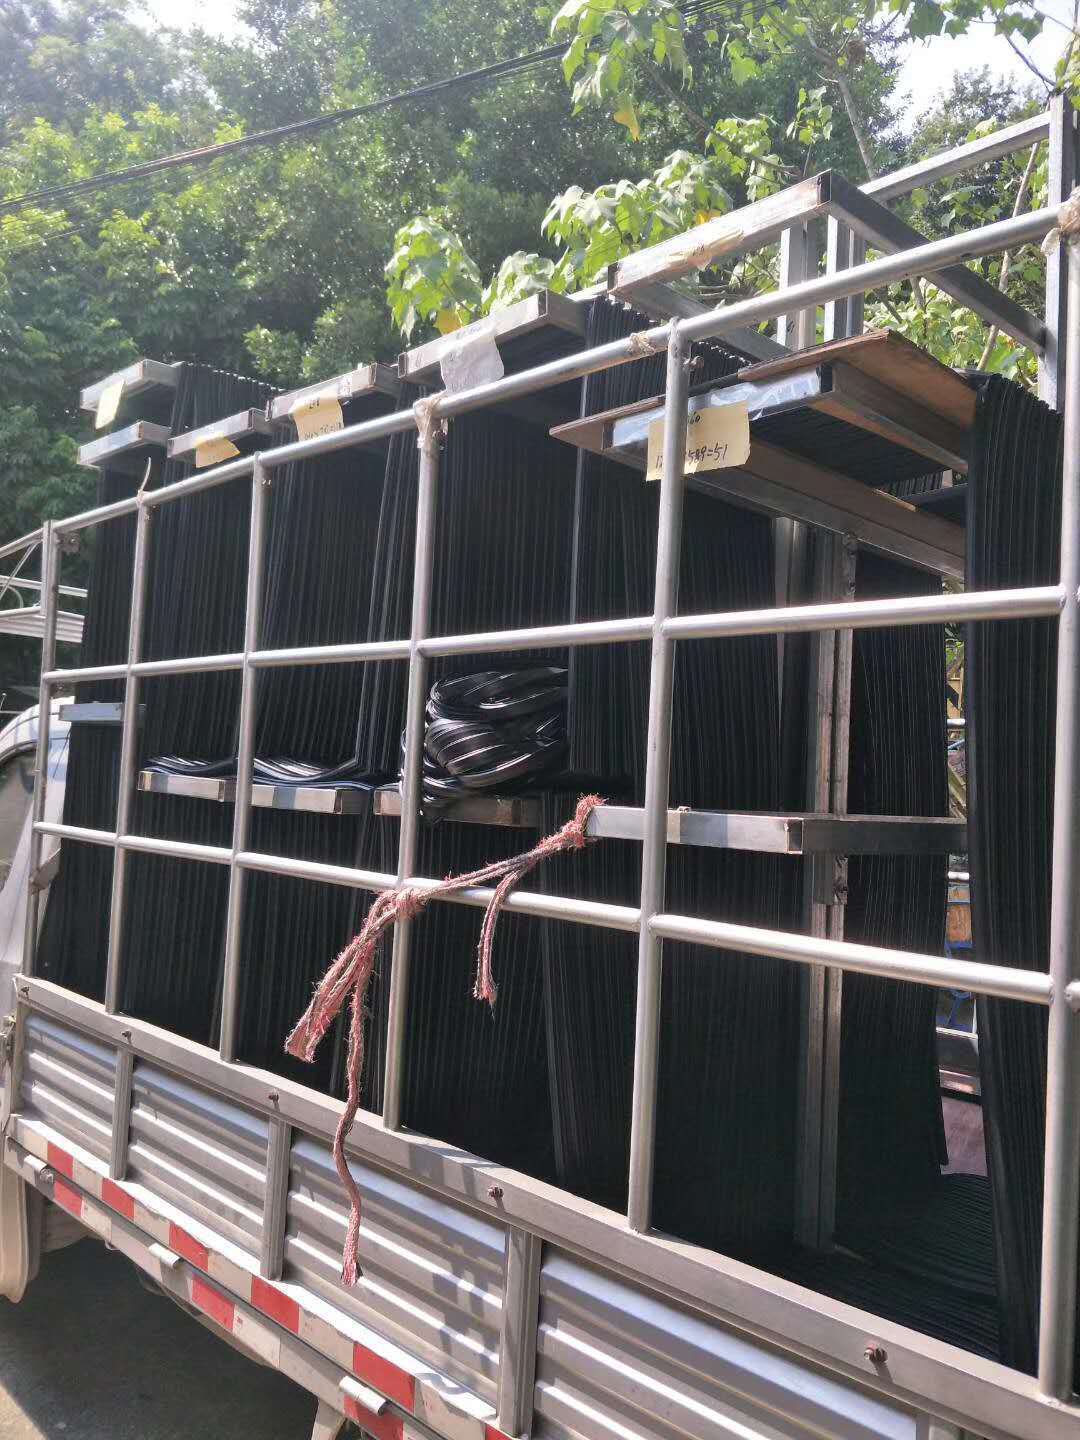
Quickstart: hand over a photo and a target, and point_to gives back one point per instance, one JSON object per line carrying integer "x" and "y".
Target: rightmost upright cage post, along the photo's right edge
{"x": 1062, "y": 1174}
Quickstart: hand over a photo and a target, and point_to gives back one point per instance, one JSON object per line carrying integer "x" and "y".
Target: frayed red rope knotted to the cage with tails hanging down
{"x": 351, "y": 976}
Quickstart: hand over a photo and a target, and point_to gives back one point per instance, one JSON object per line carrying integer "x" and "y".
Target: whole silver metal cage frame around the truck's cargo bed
{"x": 891, "y": 1360}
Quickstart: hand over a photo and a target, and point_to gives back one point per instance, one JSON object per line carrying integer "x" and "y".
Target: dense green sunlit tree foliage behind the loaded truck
{"x": 280, "y": 261}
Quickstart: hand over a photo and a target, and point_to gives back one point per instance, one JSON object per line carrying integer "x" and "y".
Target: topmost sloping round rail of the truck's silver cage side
{"x": 855, "y": 282}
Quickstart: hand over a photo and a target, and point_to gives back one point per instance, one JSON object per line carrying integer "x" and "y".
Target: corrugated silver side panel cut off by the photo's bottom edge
{"x": 617, "y": 1360}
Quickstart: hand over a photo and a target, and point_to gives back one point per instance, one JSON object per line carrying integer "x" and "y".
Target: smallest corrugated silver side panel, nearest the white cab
{"x": 67, "y": 1082}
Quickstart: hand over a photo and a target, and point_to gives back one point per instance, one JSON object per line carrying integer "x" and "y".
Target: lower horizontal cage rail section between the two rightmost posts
{"x": 1003, "y": 981}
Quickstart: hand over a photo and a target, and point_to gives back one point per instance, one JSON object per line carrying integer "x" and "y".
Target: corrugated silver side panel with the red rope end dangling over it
{"x": 433, "y": 1274}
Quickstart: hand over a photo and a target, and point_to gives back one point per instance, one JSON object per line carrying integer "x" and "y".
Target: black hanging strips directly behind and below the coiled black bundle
{"x": 503, "y": 558}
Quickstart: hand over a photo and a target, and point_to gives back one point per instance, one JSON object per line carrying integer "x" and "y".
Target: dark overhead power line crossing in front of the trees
{"x": 57, "y": 195}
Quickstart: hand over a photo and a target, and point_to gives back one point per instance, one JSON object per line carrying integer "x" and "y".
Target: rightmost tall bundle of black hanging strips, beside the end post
{"x": 1014, "y": 512}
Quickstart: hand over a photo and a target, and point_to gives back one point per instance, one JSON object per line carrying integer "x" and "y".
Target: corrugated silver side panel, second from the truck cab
{"x": 201, "y": 1153}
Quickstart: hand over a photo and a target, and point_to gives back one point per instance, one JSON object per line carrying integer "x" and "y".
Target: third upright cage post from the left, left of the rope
{"x": 246, "y": 761}
